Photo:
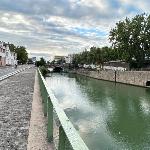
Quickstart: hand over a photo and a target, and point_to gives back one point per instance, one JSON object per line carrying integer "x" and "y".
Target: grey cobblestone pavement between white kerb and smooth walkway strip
{"x": 16, "y": 95}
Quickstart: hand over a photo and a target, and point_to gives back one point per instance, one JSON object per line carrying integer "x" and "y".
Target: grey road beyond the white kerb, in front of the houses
{"x": 9, "y": 69}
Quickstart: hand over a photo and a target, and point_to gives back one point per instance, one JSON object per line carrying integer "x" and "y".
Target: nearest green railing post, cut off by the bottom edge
{"x": 62, "y": 139}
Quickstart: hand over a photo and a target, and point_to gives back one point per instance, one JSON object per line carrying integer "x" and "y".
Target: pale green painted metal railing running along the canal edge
{"x": 68, "y": 135}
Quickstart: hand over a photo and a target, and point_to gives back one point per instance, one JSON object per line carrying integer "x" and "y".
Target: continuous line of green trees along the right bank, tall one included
{"x": 130, "y": 40}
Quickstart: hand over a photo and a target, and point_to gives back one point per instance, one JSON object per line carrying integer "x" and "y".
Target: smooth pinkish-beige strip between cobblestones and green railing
{"x": 37, "y": 139}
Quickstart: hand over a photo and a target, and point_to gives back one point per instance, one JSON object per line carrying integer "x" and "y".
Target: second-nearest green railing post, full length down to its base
{"x": 50, "y": 120}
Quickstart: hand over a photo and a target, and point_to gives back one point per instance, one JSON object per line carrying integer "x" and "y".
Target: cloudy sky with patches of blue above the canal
{"x": 62, "y": 27}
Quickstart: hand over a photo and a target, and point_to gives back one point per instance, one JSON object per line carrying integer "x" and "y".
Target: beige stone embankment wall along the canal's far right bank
{"x": 138, "y": 78}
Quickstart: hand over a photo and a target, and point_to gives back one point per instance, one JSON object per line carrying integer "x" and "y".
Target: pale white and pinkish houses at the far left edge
{"x": 6, "y": 56}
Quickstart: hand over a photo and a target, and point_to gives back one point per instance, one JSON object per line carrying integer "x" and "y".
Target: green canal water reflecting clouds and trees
{"x": 107, "y": 115}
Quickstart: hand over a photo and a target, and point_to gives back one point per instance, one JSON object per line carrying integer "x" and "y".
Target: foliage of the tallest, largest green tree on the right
{"x": 131, "y": 38}
